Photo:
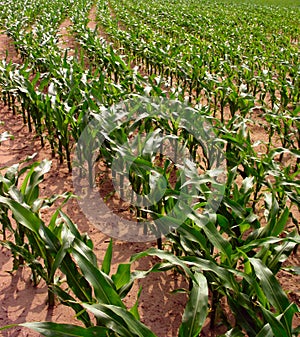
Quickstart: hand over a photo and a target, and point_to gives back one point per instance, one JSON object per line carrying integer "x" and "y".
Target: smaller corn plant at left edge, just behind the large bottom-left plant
{"x": 27, "y": 247}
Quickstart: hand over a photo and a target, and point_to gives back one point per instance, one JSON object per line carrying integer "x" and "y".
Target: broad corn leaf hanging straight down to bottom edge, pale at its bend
{"x": 196, "y": 309}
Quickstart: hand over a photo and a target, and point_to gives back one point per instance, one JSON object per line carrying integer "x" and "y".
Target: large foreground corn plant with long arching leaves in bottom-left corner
{"x": 93, "y": 291}
